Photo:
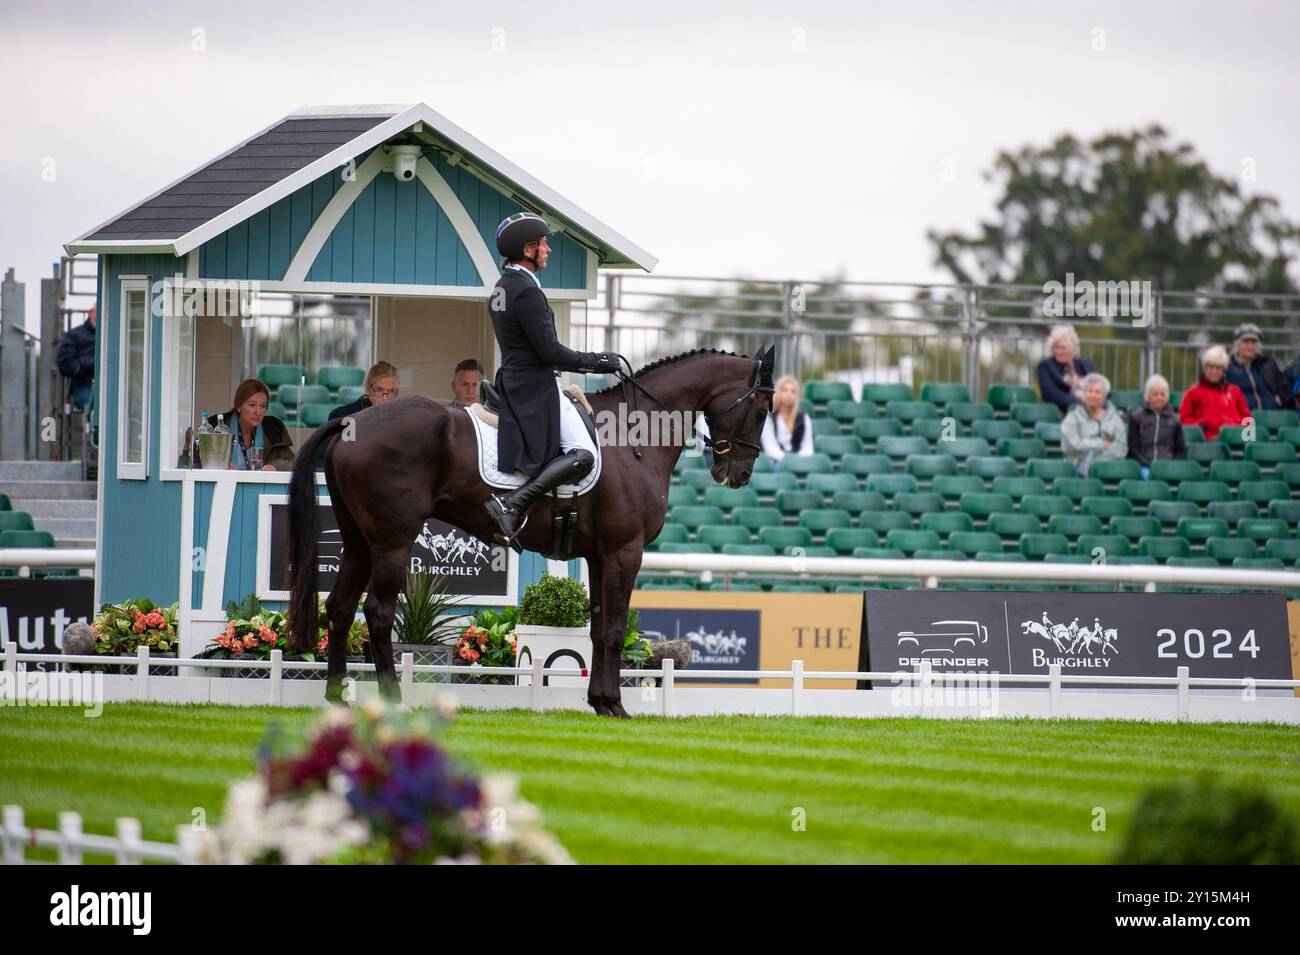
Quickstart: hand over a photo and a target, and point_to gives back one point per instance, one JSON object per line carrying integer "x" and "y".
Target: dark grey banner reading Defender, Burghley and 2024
{"x": 1229, "y": 636}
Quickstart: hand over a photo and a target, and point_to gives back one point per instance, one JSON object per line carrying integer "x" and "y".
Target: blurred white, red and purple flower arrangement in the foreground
{"x": 372, "y": 785}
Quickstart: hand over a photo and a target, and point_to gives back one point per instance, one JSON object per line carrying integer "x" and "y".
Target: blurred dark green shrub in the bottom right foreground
{"x": 1210, "y": 823}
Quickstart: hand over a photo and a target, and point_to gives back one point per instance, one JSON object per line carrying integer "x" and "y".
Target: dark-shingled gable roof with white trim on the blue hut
{"x": 304, "y": 146}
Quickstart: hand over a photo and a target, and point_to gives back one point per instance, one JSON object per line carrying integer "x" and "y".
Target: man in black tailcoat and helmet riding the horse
{"x": 541, "y": 432}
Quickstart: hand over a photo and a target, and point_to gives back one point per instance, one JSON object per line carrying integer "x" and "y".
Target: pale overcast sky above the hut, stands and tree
{"x": 774, "y": 140}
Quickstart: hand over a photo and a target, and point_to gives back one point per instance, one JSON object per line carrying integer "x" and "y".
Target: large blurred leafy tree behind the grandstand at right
{"x": 1128, "y": 206}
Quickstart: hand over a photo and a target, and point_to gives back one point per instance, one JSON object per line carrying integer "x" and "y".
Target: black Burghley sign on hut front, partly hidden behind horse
{"x": 474, "y": 570}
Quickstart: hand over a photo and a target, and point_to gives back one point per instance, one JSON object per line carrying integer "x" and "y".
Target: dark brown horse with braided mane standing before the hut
{"x": 411, "y": 459}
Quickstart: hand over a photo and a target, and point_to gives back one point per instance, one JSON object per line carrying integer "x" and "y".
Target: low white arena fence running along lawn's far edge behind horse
{"x": 895, "y": 693}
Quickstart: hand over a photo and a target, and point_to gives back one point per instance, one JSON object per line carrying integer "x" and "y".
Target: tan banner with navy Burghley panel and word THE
{"x": 821, "y": 630}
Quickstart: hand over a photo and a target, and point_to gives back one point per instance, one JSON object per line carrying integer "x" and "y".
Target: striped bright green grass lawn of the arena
{"x": 694, "y": 791}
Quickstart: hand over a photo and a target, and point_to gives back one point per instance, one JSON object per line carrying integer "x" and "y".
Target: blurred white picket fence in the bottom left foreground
{"x": 72, "y": 844}
